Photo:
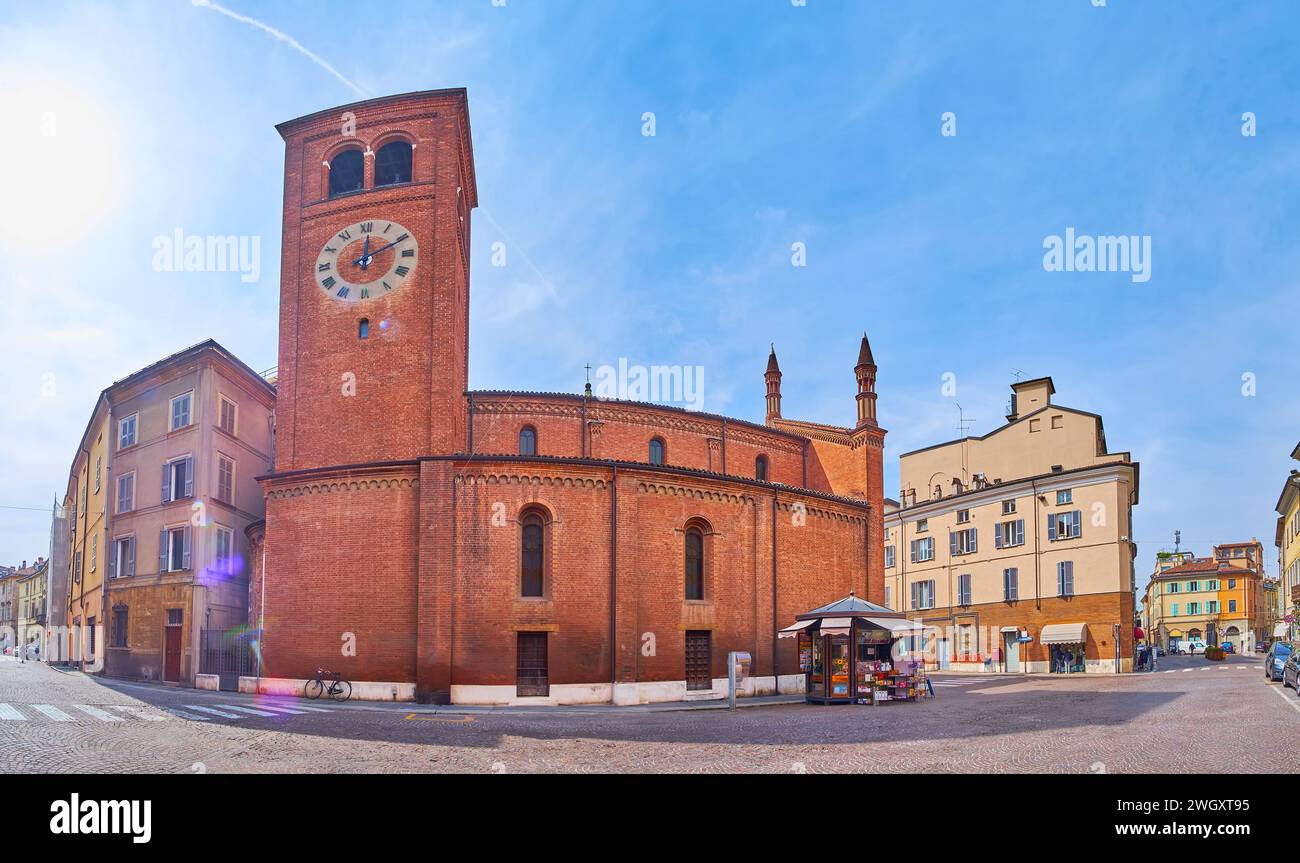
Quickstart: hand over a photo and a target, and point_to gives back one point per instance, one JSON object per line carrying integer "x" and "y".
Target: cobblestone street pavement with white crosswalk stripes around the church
{"x": 1190, "y": 715}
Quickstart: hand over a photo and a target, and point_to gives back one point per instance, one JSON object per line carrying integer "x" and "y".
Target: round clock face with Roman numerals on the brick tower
{"x": 367, "y": 261}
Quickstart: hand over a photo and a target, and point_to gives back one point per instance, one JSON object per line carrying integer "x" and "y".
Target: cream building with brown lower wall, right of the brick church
{"x": 1016, "y": 547}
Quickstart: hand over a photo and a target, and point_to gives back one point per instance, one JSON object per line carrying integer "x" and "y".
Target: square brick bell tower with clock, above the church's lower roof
{"x": 375, "y": 281}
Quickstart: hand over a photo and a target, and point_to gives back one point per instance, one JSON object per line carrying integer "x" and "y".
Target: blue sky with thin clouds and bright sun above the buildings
{"x": 775, "y": 125}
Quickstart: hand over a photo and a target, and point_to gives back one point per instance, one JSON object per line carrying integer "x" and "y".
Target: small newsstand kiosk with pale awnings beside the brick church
{"x": 848, "y": 654}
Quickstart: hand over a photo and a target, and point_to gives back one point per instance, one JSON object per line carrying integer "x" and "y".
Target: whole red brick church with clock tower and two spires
{"x": 440, "y": 544}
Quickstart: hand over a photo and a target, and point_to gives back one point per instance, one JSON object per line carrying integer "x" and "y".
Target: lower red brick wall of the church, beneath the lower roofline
{"x": 441, "y": 605}
